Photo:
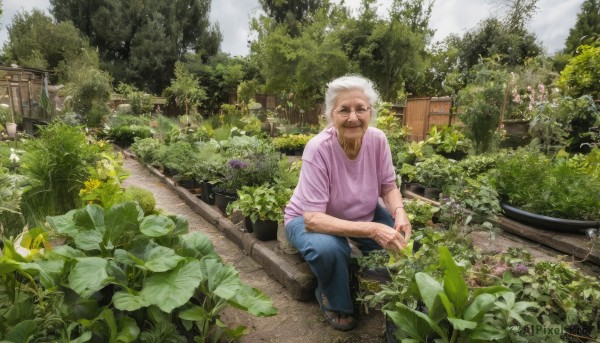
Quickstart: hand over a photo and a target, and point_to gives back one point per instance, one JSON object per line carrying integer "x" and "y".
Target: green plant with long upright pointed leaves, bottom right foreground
{"x": 456, "y": 313}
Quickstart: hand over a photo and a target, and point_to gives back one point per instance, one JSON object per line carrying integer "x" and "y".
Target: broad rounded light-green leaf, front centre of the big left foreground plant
{"x": 174, "y": 288}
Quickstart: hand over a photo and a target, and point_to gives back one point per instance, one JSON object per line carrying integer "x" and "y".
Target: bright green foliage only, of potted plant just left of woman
{"x": 261, "y": 202}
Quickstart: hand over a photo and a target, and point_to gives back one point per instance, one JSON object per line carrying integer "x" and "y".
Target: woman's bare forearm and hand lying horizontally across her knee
{"x": 380, "y": 233}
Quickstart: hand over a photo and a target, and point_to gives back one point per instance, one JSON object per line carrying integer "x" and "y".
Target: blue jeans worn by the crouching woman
{"x": 329, "y": 258}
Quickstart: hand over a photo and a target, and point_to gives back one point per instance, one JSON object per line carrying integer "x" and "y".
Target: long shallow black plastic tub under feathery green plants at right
{"x": 548, "y": 223}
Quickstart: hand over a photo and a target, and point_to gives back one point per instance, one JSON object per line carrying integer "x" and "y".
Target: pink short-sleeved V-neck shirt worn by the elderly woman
{"x": 343, "y": 188}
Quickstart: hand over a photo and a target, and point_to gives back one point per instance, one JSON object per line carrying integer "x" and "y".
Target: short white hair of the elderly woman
{"x": 346, "y": 83}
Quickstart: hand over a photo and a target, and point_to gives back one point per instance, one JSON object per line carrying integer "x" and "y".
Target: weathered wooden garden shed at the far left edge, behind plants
{"x": 25, "y": 91}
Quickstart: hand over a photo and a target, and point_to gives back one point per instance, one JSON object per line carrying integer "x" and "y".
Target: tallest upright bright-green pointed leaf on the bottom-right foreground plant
{"x": 455, "y": 286}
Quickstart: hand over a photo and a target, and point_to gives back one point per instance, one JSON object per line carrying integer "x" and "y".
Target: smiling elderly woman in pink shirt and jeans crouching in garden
{"x": 346, "y": 169}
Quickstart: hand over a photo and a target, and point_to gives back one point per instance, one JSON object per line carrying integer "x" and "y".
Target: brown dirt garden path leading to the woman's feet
{"x": 296, "y": 321}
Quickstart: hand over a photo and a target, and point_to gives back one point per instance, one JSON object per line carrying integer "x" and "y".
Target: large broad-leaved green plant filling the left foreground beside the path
{"x": 134, "y": 277}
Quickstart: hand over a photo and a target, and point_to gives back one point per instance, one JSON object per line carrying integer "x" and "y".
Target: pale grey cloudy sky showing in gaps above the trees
{"x": 551, "y": 23}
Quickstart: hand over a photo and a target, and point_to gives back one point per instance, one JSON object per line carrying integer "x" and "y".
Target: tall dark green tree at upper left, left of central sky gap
{"x": 139, "y": 38}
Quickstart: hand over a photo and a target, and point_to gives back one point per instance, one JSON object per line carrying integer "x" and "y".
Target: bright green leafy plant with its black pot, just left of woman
{"x": 264, "y": 206}
